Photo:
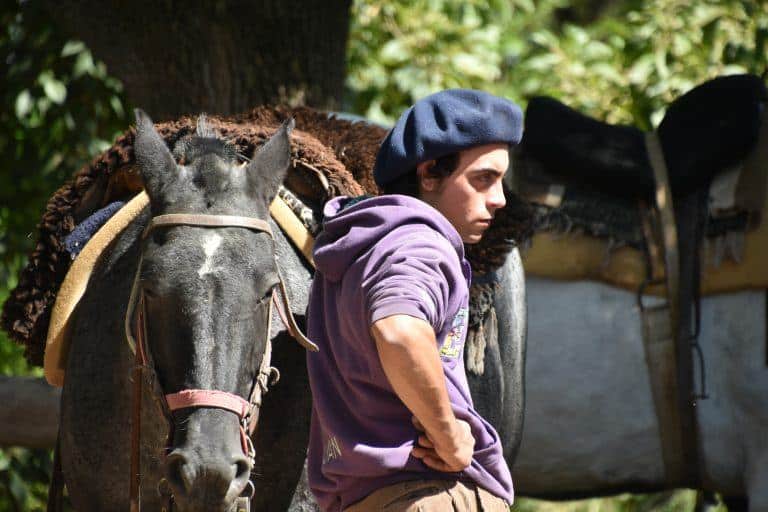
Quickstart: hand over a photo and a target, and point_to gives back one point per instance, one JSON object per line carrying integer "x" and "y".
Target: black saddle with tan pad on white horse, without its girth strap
{"x": 593, "y": 188}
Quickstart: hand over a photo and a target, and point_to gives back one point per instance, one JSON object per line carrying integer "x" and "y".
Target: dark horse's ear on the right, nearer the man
{"x": 270, "y": 164}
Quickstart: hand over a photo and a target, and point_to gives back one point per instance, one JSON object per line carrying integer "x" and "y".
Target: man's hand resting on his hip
{"x": 447, "y": 451}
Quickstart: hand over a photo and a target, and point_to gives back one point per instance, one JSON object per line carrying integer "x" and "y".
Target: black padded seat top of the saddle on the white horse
{"x": 710, "y": 128}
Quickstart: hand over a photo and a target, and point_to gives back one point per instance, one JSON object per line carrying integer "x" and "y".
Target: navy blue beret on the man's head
{"x": 443, "y": 123}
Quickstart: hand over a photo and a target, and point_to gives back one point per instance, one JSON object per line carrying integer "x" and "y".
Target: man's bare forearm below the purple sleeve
{"x": 408, "y": 353}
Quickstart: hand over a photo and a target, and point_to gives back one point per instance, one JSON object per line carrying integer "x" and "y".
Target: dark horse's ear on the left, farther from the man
{"x": 155, "y": 160}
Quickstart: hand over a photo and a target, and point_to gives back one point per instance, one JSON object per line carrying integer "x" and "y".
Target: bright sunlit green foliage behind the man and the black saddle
{"x": 624, "y": 67}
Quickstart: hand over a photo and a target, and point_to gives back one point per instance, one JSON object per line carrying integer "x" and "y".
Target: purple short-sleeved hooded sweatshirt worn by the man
{"x": 384, "y": 256}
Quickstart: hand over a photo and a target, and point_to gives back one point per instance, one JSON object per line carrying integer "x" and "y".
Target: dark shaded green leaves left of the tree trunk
{"x": 59, "y": 108}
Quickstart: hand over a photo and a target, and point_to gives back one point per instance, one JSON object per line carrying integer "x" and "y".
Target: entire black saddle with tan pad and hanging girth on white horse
{"x": 643, "y": 206}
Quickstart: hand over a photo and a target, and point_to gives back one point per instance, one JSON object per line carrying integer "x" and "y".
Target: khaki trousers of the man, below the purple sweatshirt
{"x": 430, "y": 496}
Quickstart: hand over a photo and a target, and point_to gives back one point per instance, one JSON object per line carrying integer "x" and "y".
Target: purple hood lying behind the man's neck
{"x": 348, "y": 232}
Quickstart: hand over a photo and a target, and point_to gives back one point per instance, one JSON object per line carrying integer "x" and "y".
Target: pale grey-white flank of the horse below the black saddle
{"x": 590, "y": 423}
